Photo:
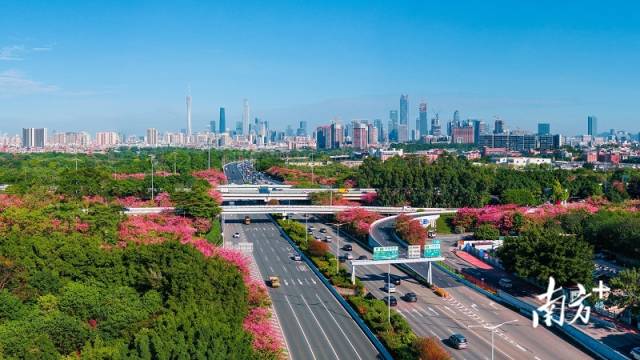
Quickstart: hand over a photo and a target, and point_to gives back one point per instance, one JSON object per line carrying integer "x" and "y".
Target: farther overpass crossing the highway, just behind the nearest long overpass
{"x": 284, "y": 192}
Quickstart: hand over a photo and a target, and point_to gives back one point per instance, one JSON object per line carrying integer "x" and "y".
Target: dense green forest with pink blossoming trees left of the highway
{"x": 78, "y": 279}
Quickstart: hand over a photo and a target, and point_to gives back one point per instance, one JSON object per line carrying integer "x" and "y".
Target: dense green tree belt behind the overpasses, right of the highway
{"x": 453, "y": 181}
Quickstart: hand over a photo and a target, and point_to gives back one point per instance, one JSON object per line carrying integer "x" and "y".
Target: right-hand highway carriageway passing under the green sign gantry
{"x": 441, "y": 317}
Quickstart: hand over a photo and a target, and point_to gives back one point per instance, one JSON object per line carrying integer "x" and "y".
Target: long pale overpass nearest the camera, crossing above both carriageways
{"x": 297, "y": 209}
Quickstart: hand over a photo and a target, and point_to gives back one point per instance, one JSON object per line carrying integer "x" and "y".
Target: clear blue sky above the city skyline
{"x": 126, "y": 65}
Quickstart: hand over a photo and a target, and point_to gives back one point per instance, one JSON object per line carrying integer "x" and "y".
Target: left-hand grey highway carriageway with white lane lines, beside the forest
{"x": 315, "y": 325}
